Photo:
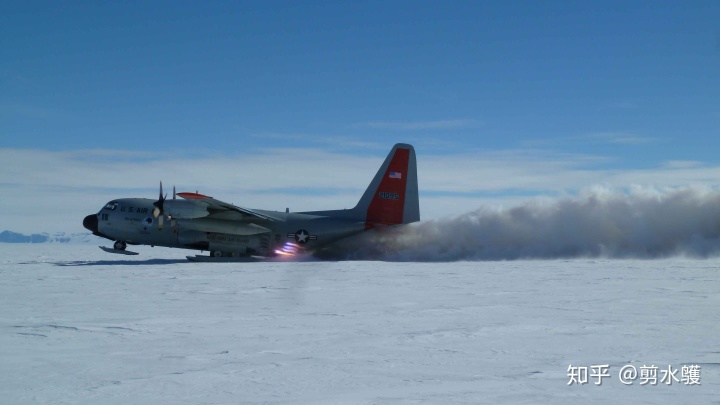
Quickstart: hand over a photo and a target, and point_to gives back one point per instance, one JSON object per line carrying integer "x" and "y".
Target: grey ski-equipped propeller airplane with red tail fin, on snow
{"x": 230, "y": 232}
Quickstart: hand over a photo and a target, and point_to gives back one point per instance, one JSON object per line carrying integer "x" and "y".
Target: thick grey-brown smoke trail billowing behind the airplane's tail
{"x": 644, "y": 223}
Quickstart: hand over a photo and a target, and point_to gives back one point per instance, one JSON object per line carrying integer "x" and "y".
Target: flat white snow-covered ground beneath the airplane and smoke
{"x": 78, "y": 325}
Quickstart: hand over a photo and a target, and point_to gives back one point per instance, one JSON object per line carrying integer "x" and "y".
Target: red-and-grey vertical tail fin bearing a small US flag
{"x": 392, "y": 197}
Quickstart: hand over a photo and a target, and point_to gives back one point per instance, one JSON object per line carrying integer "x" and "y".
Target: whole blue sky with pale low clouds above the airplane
{"x": 614, "y": 93}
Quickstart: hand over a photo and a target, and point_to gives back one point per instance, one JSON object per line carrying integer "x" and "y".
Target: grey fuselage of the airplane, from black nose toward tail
{"x": 131, "y": 220}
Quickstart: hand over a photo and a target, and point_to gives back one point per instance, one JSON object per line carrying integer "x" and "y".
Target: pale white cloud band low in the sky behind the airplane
{"x": 53, "y": 191}
